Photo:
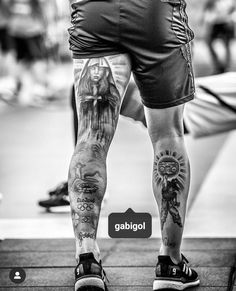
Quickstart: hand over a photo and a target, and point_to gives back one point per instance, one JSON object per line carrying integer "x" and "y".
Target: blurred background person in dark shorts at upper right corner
{"x": 219, "y": 17}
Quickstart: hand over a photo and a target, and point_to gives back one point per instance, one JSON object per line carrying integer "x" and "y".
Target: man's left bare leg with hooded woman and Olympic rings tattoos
{"x": 99, "y": 93}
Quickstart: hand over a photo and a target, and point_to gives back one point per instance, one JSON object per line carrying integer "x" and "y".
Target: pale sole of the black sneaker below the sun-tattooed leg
{"x": 174, "y": 285}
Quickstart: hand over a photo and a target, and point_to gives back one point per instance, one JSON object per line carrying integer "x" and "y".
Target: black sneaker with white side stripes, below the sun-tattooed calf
{"x": 172, "y": 276}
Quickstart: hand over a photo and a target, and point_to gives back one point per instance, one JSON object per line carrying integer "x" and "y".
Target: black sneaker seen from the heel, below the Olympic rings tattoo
{"x": 89, "y": 274}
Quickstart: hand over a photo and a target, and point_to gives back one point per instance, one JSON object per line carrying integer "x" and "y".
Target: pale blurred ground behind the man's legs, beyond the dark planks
{"x": 36, "y": 147}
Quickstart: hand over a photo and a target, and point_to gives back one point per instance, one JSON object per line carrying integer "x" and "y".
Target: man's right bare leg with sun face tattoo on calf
{"x": 171, "y": 175}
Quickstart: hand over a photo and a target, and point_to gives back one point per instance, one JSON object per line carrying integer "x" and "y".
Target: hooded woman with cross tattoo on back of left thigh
{"x": 98, "y": 95}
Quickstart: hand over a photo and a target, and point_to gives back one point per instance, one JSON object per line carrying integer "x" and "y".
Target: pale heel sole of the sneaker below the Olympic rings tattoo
{"x": 90, "y": 284}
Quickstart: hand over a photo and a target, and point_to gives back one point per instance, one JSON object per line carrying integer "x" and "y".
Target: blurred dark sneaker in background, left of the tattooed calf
{"x": 58, "y": 198}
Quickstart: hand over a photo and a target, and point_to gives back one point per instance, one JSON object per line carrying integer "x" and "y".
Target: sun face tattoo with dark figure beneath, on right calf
{"x": 170, "y": 174}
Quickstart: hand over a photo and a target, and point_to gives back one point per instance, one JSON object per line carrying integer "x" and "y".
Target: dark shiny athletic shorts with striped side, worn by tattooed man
{"x": 155, "y": 34}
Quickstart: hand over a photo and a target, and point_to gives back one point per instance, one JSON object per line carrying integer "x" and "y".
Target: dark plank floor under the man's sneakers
{"x": 48, "y": 264}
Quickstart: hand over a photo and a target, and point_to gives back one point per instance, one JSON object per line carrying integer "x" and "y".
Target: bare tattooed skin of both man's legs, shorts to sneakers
{"x": 100, "y": 85}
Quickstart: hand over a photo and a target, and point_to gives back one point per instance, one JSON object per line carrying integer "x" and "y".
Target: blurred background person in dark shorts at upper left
{"x": 28, "y": 25}
